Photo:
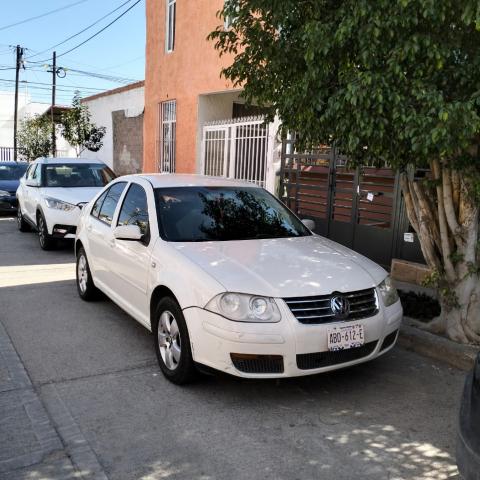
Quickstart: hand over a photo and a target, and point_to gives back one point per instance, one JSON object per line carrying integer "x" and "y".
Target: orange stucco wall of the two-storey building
{"x": 193, "y": 68}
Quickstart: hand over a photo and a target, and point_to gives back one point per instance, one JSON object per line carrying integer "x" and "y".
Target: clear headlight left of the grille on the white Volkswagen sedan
{"x": 240, "y": 307}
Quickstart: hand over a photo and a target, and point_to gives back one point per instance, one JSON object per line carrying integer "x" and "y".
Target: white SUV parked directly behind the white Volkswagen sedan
{"x": 52, "y": 193}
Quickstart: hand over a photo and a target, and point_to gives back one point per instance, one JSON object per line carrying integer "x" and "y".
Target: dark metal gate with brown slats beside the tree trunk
{"x": 357, "y": 207}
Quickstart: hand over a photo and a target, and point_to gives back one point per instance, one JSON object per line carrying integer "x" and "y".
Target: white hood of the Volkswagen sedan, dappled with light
{"x": 285, "y": 267}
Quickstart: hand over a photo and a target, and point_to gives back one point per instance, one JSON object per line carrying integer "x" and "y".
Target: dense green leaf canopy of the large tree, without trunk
{"x": 387, "y": 81}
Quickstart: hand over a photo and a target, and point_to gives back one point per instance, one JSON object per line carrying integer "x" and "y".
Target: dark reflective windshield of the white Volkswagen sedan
{"x": 195, "y": 214}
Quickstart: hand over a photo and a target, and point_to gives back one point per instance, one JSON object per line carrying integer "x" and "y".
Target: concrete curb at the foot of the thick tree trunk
{"x": 436, "y": 347}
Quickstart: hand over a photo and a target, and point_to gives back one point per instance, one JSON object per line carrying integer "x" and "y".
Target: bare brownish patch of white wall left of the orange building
{"x": 127, "y": 143}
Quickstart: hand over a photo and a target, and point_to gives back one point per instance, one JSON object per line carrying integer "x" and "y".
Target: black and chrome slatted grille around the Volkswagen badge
{"x": 317, "y": 310}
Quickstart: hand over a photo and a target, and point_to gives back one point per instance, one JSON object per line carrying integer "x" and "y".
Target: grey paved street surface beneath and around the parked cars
{"x": 94, "y": 405}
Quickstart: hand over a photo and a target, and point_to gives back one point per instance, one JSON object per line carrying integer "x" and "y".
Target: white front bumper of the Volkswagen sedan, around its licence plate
{"x": 284, "y": 349}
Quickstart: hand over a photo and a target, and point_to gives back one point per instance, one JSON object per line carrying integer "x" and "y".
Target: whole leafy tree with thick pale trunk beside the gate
{"x": 394, "y": 82}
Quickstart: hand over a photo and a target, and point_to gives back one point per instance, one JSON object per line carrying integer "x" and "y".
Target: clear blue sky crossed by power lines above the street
{"x": 118, "y": 51}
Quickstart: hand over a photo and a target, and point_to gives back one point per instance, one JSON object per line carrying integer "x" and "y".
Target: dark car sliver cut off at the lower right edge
{"x": 468, "y": 445}
